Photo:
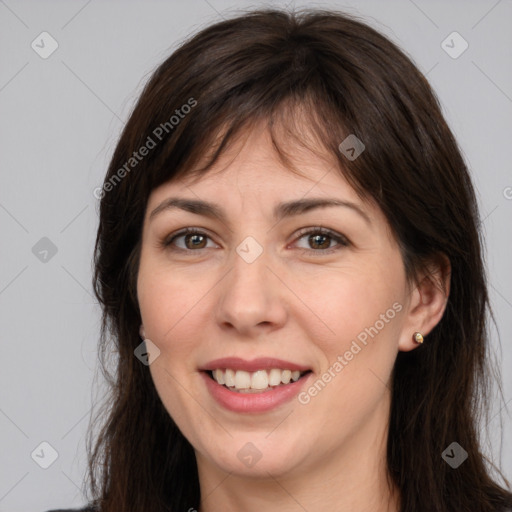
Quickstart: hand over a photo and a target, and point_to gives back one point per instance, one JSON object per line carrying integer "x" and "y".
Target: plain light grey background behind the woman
{"x": 60, "y": 119}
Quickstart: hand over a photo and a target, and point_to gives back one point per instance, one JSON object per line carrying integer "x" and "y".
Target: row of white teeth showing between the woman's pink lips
{"x": 260, "y": 381}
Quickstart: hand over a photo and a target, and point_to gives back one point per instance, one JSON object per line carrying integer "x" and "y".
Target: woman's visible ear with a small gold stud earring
{"x": 427, "y": 304}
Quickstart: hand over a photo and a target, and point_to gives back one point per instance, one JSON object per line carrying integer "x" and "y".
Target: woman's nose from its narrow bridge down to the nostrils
{"x": 249, "y": 298}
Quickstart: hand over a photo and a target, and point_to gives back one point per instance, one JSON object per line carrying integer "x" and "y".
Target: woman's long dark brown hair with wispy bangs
{"x": 343, "y": 77}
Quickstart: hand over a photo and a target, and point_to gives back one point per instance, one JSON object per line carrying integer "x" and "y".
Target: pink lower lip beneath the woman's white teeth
{"x": 253, "y": 402}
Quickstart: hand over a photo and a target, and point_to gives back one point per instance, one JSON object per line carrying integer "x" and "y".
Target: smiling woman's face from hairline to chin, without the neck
{"x": 276, "y": 286}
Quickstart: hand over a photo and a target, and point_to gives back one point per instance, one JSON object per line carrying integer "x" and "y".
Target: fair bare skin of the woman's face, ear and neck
{"x": 294, "y": 302}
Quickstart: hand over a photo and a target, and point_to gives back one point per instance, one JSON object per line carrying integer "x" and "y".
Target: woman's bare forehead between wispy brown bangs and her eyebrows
{"x": 251, "y": 167}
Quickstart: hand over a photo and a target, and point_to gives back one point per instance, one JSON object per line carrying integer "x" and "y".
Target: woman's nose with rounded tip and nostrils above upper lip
{"x": 251, "y": 299}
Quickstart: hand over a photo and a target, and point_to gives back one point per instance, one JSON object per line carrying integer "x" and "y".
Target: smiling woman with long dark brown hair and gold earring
{"x": 289, "y": 225}
